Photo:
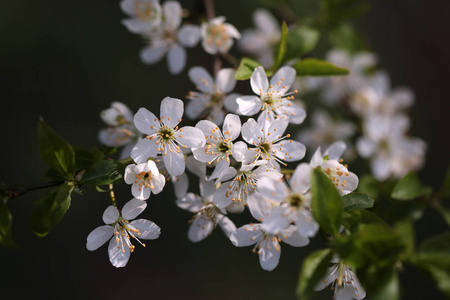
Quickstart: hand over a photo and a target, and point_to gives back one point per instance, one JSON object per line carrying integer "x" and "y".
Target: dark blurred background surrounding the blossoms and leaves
{"x": 68, "y": 60}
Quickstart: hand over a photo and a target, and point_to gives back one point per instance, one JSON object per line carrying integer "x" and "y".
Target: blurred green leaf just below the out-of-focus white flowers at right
{"x": 409, "y": 187}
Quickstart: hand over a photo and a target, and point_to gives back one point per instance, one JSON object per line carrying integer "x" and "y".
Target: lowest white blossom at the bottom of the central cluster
{"x": 267, "y": 245}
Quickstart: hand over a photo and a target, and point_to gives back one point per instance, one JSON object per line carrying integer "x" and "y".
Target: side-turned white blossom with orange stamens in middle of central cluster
{"x": 237, "y": 185}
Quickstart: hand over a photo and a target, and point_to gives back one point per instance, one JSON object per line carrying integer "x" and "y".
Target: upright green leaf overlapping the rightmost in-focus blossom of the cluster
{"x": 326, "y": 203}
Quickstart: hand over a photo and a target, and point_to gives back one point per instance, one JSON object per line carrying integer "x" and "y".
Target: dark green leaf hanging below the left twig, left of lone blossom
{"x": 51, "y": 208}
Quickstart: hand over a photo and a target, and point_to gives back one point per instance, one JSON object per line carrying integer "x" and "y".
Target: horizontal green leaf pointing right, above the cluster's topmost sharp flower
{"x": 317, "y": 67}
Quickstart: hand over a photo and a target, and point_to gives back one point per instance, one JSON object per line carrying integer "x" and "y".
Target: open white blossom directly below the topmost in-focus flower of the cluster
{"x": 270, "y": 143}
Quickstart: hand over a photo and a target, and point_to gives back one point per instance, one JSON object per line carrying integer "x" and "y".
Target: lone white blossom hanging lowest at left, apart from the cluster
{"x": 121, "y": 231}
